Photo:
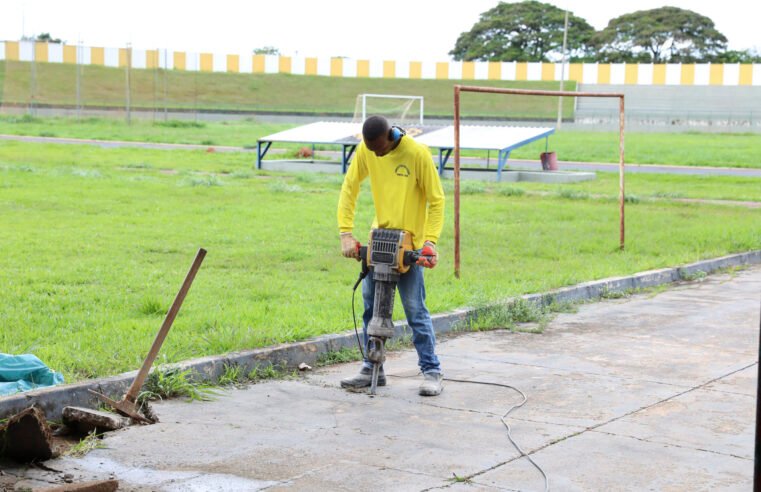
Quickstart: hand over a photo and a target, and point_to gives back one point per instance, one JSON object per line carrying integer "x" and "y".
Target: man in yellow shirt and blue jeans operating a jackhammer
{"x": 407, "y": 194}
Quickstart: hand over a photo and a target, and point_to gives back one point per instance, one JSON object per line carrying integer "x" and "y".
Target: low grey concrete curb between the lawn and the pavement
{"x": 53, "y": 400}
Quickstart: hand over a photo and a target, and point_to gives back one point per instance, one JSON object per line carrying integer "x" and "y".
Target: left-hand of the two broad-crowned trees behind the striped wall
{"x": 524, "y": 31}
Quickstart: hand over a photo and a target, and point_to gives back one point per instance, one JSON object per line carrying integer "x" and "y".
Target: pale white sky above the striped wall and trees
{"x": 424, "y": 30}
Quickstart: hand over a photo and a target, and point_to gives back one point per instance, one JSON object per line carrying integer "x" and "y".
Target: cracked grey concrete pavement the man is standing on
{"x": 651, "y": 392}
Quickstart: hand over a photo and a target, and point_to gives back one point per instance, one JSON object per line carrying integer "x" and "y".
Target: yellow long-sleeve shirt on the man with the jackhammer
{"x": 406, "y": 190}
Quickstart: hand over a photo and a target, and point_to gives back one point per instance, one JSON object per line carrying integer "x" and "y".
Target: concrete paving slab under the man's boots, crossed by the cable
{"x": 556, "y": 396}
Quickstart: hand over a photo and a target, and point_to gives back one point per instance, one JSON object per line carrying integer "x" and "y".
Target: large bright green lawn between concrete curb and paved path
{"x": 97, "y": 241}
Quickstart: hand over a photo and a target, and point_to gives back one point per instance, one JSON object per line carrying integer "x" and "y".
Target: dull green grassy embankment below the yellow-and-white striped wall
{"x": 56, "y": 84}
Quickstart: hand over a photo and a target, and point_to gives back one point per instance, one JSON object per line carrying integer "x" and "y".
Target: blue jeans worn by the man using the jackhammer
{"x": 412, "y": 292}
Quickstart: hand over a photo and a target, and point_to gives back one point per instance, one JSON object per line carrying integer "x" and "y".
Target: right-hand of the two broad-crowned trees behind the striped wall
{"x": 666, "y": 34}
